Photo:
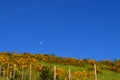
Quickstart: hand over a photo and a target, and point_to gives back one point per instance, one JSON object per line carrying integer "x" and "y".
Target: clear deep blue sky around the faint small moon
{"x": 68, "y": 28}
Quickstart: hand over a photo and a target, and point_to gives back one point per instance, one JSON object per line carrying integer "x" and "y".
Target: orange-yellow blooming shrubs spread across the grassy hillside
{"x": 24, "y": 61}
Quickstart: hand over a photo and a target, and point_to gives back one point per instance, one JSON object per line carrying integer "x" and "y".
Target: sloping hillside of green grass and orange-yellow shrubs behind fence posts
{"x": 43, "y": 63}
